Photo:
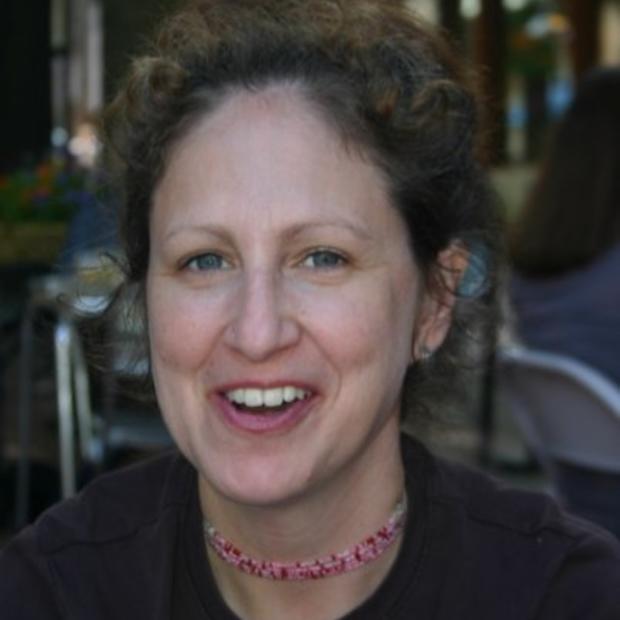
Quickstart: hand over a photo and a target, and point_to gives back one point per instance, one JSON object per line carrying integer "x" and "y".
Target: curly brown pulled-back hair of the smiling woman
{"x": 387, "y": 84}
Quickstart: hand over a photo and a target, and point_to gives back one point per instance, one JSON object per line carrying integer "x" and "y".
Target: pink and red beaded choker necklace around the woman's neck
{"x": 330, "y": 565}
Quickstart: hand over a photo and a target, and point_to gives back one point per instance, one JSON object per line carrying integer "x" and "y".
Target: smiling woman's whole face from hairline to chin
{"x": 282, "y": 301}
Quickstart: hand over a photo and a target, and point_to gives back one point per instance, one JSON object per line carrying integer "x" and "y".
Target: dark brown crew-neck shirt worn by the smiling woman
{"x": 130, "y": 546}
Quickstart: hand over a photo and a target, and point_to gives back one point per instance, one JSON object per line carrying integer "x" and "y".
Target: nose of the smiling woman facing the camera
{"x": 261, "y": 324}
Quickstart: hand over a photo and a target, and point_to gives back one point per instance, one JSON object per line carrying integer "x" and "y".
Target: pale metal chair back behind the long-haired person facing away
{"x": 569, "y": 414}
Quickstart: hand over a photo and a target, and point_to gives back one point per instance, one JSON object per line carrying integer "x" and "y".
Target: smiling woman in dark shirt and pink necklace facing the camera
{"x": 301, "y": 191}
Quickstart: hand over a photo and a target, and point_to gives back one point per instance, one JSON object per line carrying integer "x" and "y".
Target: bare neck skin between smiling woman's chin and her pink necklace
{"x": 322, "y": 520}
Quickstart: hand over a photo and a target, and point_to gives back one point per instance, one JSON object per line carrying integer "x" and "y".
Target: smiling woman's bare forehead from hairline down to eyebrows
{"x": 270, "y": 154}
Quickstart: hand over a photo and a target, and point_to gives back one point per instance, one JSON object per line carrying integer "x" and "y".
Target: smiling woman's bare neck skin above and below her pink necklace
{"x": 329, "y": 520}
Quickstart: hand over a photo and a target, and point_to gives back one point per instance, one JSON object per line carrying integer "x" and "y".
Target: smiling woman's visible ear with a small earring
{"x": 436, "y": 306}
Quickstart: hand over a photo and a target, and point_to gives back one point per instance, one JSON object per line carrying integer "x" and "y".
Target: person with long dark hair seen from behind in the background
{"x": 565, "y": 246}
